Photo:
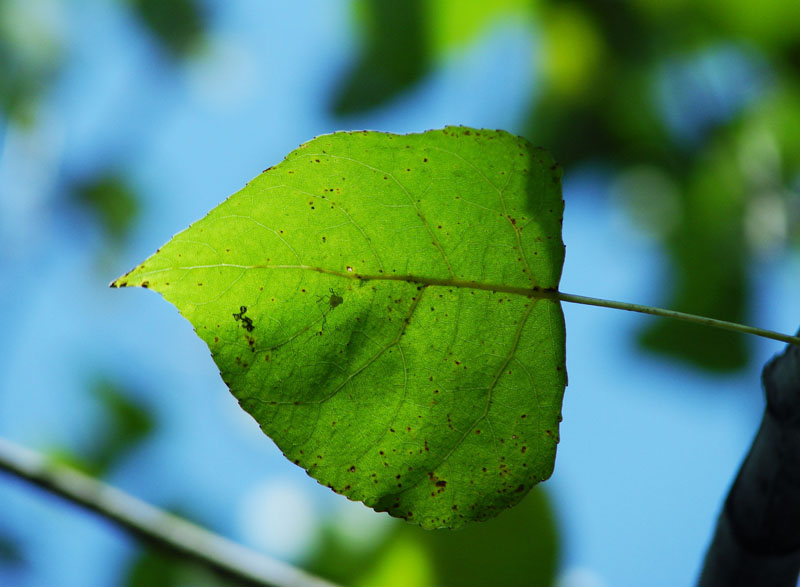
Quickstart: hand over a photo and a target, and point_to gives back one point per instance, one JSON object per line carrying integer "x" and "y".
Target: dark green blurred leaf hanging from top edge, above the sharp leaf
{"x": 394, "y": 55}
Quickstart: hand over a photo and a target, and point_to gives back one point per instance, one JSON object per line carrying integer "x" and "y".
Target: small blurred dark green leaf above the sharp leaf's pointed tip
{"x": 112, "y": 201}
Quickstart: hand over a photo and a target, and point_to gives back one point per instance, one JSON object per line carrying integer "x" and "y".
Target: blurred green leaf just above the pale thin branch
{"x": 125, "y": 425}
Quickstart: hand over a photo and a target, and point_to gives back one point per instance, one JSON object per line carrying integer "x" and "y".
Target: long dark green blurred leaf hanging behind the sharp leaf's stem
{"x": 708, "y": 275}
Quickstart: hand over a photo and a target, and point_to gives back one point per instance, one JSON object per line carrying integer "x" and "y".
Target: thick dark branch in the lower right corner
{"x": 757, "y": 541}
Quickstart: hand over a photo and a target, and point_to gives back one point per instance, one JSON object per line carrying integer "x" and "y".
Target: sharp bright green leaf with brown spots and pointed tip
{"x": 372, "y": 302}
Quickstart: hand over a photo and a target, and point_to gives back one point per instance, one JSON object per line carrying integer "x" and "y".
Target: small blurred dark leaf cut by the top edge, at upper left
{"x": 177, "y": 24}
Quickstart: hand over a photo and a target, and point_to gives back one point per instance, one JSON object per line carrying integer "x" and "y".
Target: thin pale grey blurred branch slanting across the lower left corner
{"x": 154, "y": 525}
